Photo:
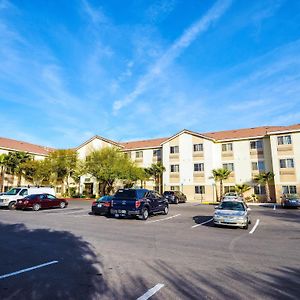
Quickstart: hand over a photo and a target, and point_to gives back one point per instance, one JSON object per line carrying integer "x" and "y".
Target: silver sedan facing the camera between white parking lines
{"x": 232, "y": 213}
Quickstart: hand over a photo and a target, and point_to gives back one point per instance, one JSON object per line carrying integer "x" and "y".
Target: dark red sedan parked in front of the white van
{"x": 38, "y": 201}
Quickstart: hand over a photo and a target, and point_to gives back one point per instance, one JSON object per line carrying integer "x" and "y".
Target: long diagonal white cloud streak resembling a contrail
{"x": 173, "y": 52}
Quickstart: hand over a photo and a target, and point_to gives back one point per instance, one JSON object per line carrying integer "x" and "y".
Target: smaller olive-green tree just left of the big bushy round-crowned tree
{"x": 63, "y": 164}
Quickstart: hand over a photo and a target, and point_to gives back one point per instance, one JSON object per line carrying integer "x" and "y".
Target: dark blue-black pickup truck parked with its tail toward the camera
{"x": 139, "y": 203}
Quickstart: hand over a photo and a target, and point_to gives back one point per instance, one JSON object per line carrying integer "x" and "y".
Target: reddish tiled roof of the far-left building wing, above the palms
{"x": 10, "y": 144}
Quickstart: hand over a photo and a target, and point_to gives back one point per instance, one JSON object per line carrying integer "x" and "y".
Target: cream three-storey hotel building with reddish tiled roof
{"x": 189, "y": 158}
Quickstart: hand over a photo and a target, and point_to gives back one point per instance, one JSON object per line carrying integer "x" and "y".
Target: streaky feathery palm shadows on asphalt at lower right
{"x": 279, "y": 283}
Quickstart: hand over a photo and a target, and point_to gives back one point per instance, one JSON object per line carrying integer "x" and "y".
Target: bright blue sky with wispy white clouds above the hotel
{"x": 140, "y": 69}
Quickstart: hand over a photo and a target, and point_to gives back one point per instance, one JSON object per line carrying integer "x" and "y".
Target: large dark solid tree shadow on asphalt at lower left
{"x": 79, "y": 273}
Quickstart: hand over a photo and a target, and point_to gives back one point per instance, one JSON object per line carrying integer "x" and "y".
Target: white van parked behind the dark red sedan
{"x": 10, "y": 198}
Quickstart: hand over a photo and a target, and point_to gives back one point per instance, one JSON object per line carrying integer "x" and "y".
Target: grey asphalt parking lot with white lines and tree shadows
{"x": 70, "y": 254}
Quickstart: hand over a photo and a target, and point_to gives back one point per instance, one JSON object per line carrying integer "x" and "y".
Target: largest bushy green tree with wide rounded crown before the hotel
{"x": 109, "y": 164}
